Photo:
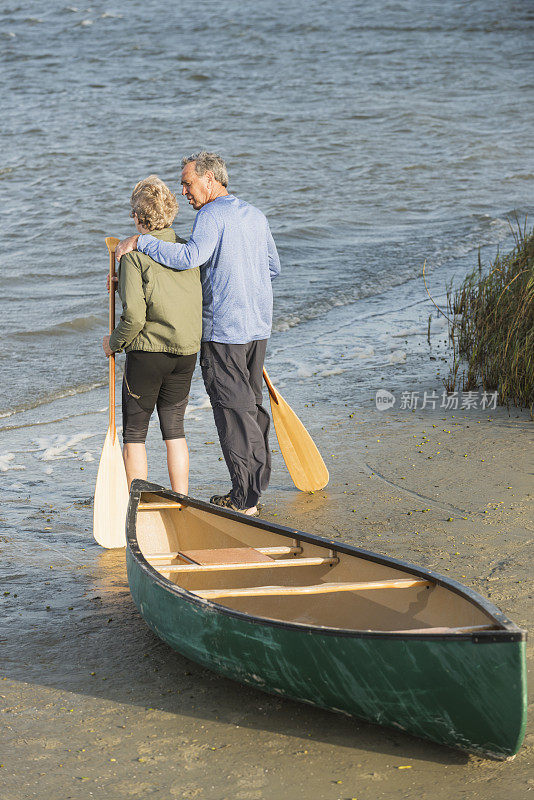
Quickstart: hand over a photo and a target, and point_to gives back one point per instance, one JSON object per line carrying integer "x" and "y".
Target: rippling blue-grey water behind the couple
{"x": 374, "y": 136}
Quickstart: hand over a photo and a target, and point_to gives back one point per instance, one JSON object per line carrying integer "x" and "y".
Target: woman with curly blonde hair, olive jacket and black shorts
{"x": 160, "y": 330}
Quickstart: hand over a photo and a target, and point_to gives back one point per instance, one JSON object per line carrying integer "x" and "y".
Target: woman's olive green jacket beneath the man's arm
{"x": 161, "y": 307}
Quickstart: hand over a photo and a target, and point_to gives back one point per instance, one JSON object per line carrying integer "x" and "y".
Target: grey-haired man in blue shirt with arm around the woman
{"x": 232, "y": 243}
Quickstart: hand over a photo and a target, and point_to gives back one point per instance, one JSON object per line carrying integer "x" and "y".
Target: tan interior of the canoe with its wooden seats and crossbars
{"x": 277, "y": 576}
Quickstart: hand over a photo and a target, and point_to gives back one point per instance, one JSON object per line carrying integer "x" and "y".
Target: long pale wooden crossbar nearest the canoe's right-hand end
{"x": 321, "y": 588}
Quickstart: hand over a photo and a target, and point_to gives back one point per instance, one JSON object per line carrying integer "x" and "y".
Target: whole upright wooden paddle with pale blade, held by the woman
{"x": 111, "y": 491}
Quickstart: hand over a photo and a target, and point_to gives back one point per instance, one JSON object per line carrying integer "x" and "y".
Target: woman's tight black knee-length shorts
{"x": 150, "y": 380}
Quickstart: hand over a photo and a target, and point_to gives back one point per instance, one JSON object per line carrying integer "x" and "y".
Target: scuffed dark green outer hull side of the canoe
{"x": 465, "y": 692}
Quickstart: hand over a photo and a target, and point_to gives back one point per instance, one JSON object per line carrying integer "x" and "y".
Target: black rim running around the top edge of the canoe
{"x": 509, "y": 633}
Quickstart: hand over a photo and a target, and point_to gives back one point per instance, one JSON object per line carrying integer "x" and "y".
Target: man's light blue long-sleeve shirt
{"x": 232, "y": 243}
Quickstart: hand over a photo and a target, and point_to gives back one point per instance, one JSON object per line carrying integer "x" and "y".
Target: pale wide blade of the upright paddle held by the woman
{"x": 111, "y": 495}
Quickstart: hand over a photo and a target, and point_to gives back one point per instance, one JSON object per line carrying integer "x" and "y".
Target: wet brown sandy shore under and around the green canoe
{"x": 94, "y": 705}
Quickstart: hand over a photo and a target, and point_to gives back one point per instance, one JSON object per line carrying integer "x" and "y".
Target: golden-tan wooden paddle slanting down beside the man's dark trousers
{"x": 303, "y": 460}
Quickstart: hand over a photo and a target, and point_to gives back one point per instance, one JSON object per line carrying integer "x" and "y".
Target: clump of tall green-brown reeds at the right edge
{"x": 493, "y": 326}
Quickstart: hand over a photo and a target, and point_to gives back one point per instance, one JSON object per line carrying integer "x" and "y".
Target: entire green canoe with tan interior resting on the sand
{"x": 327, "y": 623}
